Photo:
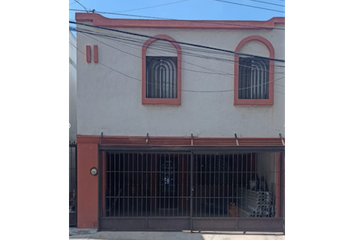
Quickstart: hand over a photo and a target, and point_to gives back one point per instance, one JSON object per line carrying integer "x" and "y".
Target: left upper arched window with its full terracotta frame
{"x": 161, "y": 72}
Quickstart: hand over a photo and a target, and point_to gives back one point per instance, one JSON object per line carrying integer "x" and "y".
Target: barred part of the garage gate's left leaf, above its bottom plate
{"x": 147, "y": 184}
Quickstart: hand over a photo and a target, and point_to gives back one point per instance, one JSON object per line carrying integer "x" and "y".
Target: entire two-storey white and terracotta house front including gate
{"x": 174, "y": 135}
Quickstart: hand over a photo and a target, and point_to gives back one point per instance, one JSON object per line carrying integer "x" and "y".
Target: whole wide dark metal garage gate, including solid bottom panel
{"x": 190, "y": 190}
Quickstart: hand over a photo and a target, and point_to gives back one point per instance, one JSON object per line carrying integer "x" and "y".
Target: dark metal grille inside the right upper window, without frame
{"x": 253, "y": 78}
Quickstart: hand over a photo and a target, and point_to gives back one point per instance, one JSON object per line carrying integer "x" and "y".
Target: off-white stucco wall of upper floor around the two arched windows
{"x": 110, "y": 102}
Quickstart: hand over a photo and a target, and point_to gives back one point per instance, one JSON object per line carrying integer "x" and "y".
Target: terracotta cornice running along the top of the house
{"x": 99, "y": 20}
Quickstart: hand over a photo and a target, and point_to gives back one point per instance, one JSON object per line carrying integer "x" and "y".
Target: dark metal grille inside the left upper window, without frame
{"x": 161, "y": 77}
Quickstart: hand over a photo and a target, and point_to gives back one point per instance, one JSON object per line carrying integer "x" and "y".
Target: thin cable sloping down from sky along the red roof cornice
{"x": 159, "y": 18}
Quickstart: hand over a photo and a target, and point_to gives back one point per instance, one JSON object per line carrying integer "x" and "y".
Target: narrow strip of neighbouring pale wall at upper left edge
{"x": 72, "y": 78}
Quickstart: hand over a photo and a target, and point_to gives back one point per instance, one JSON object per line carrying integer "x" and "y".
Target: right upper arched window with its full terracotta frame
{"x": 254, "y": 77}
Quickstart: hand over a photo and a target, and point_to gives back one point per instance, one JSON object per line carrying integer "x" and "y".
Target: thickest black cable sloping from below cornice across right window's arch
{"x": 182, "y": 43}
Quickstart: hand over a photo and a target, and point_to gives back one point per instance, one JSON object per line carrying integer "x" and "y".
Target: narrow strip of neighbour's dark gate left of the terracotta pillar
{"x": 72, "y": 183}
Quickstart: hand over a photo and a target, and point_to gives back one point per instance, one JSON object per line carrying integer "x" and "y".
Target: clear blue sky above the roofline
{"x": 184, "y": 9}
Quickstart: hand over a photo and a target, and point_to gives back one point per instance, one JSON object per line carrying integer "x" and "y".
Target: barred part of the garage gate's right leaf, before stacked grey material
{"x": 234, "y": 185}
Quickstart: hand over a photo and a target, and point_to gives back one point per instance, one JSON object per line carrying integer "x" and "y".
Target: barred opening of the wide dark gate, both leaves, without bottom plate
{"x": 210, "y": 185}
